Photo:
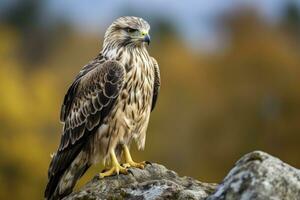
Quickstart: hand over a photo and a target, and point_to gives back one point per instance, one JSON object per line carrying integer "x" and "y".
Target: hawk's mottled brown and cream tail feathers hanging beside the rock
{"x": 62, "y": 183}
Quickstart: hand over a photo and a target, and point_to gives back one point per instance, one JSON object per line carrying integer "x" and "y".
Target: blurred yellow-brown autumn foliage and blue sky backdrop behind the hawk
{"x": 230, "y": 82}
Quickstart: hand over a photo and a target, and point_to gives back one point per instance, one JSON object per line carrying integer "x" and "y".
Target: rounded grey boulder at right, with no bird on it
{"x": 260, "y": 176}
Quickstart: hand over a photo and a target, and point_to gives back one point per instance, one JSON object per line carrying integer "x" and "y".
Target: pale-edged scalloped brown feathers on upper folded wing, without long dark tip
{"x": 89, "y": 95}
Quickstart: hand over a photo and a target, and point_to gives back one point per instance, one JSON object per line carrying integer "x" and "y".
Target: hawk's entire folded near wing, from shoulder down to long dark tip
{"x": 88, "y": 101}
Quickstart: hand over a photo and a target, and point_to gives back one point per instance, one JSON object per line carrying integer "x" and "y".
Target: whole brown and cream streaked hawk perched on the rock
{"x": 106, "y": 108}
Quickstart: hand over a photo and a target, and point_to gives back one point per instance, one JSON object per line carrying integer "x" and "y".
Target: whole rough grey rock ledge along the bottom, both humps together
{"x": 256, "y": 175}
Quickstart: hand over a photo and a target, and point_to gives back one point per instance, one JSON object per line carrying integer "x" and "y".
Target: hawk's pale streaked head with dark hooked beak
{"x": 127, "y": 31}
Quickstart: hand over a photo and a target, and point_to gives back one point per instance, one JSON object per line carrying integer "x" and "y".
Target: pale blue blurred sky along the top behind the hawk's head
{"x": 192, "y": 18}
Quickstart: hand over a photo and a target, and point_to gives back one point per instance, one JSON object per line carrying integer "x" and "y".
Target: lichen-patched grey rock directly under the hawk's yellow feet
{"x": 155, "y": 182}
